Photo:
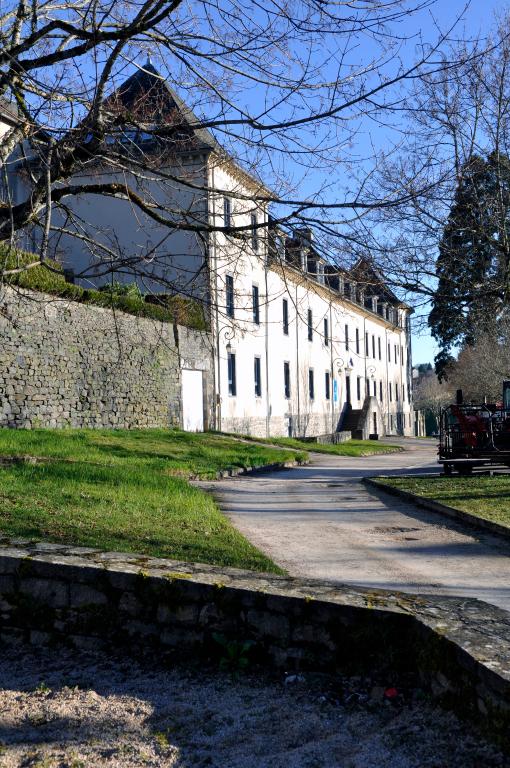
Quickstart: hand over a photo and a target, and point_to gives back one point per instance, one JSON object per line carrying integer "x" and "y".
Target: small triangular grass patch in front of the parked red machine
{"x": 487, "y": 497}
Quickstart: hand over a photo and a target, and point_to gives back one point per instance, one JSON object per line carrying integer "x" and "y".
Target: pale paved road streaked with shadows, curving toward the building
{"x": 321, "y": 521}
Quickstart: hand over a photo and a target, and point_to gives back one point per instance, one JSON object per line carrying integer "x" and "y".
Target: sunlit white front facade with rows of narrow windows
{"x": 276, "y": 364}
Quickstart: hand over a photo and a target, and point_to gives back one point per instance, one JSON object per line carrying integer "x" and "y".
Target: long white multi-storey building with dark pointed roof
{"x": 298, "y": 346}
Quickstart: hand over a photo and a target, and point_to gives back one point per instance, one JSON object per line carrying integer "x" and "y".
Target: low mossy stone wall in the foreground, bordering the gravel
{"x": 459, "y": 648}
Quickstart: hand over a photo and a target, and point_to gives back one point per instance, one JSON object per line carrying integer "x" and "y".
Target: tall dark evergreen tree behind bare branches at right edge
{"x": 474, "y": 257}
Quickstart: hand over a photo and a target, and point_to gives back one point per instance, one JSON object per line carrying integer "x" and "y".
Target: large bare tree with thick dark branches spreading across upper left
{"x": 272, "y": 83}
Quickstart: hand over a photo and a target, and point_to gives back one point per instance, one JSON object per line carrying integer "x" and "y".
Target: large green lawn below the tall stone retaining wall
{"x": 127, "y": 491}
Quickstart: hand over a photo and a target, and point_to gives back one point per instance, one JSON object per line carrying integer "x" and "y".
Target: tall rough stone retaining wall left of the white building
{"x": 64, "y": 364}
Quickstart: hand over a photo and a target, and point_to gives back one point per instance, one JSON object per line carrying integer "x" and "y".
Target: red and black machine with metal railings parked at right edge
{"x": 472, "y": 435}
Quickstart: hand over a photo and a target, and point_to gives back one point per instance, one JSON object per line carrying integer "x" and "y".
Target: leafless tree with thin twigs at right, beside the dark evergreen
{"x": 457, "y": 113}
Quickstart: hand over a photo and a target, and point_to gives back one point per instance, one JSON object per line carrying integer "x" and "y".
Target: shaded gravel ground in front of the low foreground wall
{"x": 64, "y": 709}
